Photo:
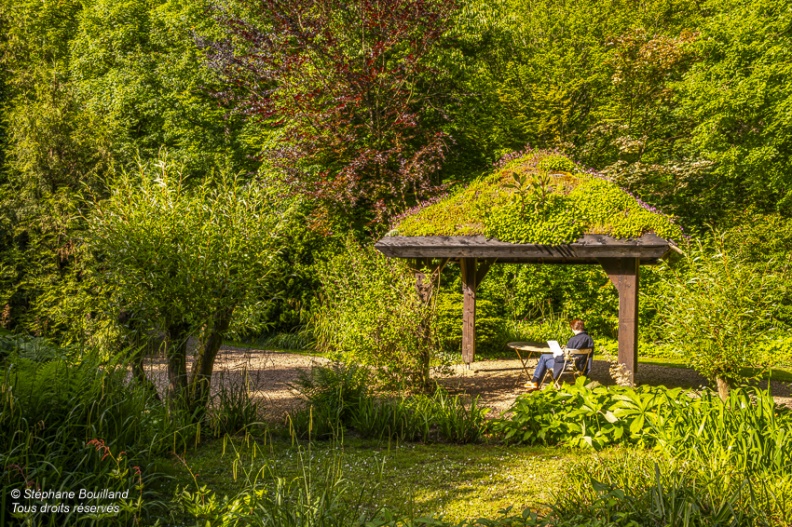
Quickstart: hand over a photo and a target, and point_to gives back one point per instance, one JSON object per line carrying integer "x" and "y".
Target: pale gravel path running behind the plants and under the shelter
{"x": 270, "y": 374}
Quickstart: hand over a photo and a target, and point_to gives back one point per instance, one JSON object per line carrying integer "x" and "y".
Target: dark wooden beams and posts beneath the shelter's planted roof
{"x": 621, "y": 260}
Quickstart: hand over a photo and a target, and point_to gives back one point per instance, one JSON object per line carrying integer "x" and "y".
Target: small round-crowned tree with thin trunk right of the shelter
{"x": 720, "y": 313}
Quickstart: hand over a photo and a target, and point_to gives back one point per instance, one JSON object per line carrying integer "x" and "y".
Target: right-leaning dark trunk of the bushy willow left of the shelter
{"x": 201, "y": 376}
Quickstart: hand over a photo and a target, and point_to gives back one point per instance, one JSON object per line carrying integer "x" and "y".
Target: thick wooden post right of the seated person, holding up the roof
{"x": 624, "y": 273}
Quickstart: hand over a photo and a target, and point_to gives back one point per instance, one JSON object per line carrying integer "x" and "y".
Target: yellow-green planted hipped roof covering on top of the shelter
{"x": 539, "y": 198}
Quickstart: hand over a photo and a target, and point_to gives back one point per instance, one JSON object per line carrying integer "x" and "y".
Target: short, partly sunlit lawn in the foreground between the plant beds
{"x": 455, "y": 481}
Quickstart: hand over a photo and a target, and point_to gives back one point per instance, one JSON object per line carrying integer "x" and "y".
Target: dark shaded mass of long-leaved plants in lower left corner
{"x": 74, "y": 422}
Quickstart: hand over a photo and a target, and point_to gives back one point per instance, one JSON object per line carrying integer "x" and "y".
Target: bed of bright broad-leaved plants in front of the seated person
{"x": 747, "y": 429}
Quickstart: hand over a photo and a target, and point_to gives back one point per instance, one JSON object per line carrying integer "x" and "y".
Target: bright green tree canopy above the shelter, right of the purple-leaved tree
{"x": 683, "y": 104}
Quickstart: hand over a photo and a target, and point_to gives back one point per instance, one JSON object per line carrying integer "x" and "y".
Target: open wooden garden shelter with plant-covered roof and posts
{"x": 538, "y": 208}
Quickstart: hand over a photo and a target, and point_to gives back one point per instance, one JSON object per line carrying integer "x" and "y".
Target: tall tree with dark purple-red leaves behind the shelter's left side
{"x": 351, "y": 94}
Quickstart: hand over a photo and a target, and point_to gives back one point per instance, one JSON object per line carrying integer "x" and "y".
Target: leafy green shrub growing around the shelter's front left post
{"x": 370, "y": 313}
